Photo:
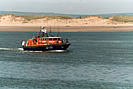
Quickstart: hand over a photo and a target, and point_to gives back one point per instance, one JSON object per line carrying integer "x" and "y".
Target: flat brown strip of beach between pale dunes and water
{"x": 69, "y": 28}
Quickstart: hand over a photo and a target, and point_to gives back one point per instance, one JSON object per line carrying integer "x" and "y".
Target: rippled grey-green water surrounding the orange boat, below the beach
{"x": 93, "y": 61}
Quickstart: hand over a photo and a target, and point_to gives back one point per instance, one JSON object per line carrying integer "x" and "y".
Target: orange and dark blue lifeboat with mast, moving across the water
{"x": 44, "y": 41}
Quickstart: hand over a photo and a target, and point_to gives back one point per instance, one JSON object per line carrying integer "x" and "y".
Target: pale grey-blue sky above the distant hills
{"x": 68, "y": 6}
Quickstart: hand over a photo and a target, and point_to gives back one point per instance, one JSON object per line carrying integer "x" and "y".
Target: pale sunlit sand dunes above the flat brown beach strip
{"x": 8, "y": 20}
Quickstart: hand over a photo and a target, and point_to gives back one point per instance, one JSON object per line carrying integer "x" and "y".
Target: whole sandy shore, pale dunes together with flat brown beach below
{"x": 90, "y": 23}
